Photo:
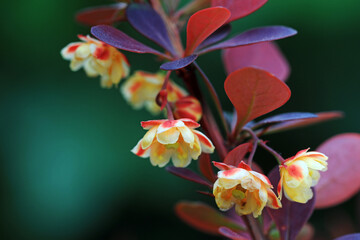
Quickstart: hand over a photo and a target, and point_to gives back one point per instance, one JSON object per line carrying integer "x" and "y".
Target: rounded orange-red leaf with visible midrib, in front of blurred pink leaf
{"x": 254, "y": 92}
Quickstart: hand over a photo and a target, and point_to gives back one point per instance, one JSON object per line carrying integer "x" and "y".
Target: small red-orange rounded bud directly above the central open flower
{"x": 188, "y": 107}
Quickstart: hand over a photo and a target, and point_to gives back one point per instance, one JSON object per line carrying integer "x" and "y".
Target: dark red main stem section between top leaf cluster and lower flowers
{"x": 208, "y": 122}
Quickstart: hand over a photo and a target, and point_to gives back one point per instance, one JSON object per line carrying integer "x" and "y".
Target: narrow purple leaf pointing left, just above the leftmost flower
{"x": 118, "y": 39}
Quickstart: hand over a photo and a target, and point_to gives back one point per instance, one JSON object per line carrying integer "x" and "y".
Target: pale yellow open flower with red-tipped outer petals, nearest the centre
{"x": 172, "y": 139}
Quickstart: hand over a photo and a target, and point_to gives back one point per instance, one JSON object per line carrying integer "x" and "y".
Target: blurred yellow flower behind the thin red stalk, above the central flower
{"x": 141, "y": 89}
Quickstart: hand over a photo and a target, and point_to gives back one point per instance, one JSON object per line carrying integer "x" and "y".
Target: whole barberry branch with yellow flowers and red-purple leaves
{"x": 276, "y": 206}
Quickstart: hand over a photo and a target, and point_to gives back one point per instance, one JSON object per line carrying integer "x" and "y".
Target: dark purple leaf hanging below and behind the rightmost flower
{"x": 292, "y": 216}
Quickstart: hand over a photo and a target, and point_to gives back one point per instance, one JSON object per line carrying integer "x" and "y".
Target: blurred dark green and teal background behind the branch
{"x": 66, "y": 171}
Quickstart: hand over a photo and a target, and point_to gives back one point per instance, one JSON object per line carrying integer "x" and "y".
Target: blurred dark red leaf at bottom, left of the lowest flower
{"x": 204, "y": 217}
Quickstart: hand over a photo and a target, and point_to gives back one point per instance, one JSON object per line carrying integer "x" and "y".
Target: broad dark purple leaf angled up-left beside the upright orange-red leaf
{"x": 148, "y": 22}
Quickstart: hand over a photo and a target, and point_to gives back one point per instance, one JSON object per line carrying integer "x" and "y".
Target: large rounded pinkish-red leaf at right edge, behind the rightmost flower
{"x": 342, "y": 179}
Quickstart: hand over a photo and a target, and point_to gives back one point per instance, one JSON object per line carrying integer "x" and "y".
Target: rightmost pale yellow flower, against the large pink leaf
{"x": 299, "y": 173}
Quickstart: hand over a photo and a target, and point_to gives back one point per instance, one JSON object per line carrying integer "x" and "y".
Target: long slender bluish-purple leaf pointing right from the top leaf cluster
{"x": 256, "y": 35}
